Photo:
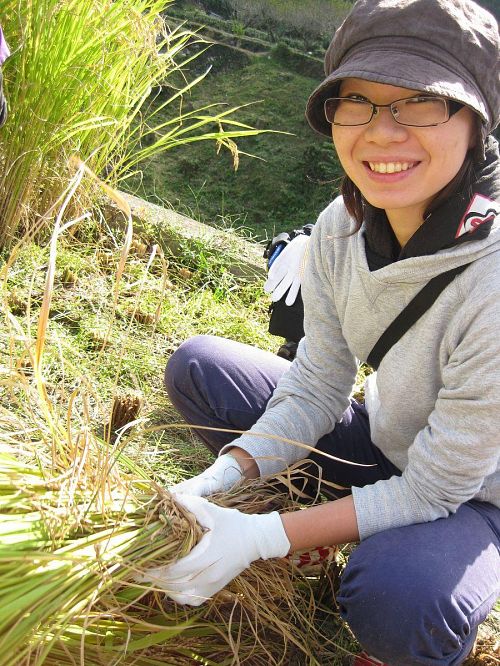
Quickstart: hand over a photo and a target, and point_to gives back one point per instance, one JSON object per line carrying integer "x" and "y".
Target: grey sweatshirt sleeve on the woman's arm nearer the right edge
{"x": 460, "y": 446}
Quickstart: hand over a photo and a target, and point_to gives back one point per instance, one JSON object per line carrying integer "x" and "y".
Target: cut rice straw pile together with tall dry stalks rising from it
{"x": 79, "y": 521}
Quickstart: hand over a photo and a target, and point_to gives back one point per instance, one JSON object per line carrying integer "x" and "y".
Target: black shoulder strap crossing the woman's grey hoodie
{"x": 411, "y": 314}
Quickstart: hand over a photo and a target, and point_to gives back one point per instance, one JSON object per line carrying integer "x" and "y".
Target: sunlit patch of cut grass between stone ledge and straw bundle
{"x": 193, "y": 300}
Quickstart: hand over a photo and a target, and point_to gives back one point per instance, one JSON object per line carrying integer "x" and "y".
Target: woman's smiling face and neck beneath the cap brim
{"x": 403, "y": 155}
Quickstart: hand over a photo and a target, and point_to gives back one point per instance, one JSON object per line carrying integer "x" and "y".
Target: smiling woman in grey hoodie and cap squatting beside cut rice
{"x": 411, "y": 96}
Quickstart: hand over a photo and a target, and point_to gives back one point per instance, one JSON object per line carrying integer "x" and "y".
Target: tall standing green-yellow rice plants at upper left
{"x": 80, "y": 81}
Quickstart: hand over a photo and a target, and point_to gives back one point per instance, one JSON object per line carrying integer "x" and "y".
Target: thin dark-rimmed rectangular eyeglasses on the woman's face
{"x": 420, "y": 111}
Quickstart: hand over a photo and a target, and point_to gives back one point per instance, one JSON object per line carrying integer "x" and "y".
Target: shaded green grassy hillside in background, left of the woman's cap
{"x": 296, "y": 174}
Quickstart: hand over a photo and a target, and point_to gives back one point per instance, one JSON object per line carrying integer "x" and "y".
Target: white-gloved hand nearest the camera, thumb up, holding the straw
{"x": 233, "y": 542}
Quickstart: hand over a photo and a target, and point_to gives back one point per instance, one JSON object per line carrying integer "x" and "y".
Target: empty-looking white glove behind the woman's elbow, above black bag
{"x": 287, "y": 270}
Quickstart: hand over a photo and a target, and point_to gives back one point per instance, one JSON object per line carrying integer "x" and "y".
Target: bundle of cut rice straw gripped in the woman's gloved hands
{"x": 69, "y": 554}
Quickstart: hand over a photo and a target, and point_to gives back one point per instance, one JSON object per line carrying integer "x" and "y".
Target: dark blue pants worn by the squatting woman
{"x": 411, "y": 595}
